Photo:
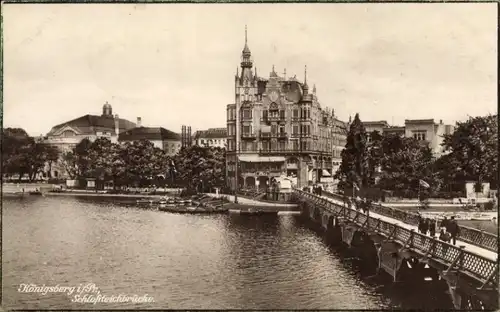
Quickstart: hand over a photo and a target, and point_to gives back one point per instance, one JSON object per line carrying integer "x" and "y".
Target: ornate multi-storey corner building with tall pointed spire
{"x": 277, "y": 128}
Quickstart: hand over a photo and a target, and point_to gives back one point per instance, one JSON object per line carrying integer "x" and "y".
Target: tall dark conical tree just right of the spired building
{"x": 354, "y": 167}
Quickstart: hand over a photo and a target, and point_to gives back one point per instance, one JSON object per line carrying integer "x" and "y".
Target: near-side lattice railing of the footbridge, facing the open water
{"x": 475, "y": 266}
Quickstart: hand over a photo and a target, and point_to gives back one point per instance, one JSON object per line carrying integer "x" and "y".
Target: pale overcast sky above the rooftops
{"x": 174, "y": 64}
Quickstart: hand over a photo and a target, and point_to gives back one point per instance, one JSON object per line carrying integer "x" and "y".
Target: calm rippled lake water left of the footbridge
{"x": 180, "y": 261}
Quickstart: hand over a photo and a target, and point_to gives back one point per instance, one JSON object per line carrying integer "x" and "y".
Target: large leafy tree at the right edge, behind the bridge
{"x": 473, "y": 148}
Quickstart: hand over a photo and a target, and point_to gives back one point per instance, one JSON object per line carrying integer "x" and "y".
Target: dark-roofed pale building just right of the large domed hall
{"x": 162, "y": 138}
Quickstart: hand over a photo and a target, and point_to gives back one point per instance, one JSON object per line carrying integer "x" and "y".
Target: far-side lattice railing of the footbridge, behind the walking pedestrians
{"x": 467, "y": 234}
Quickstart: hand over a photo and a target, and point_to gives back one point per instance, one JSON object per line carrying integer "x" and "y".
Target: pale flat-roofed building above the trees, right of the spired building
{"x": 420, "y": 129}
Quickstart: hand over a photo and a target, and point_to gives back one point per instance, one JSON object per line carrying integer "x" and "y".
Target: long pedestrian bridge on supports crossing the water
{"x": 470, "y": 271}
